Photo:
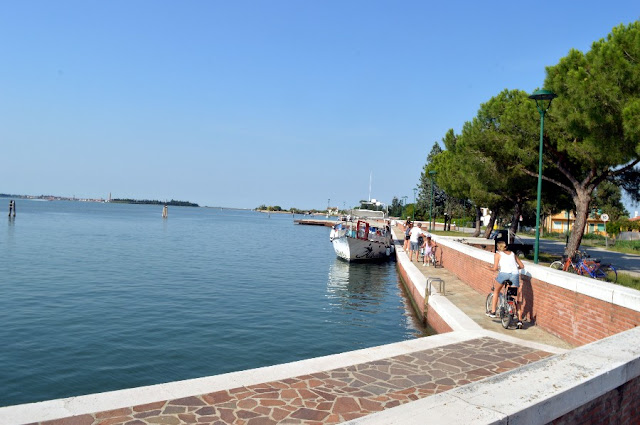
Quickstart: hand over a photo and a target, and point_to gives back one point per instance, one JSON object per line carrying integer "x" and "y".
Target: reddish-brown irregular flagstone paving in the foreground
{"x": 333, "y": 396}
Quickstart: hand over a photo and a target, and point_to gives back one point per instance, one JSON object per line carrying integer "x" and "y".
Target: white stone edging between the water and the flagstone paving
{"x": 114, "y": 400}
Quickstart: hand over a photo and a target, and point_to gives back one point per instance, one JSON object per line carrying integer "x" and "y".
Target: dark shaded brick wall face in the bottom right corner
{"x": 620, "y": 406}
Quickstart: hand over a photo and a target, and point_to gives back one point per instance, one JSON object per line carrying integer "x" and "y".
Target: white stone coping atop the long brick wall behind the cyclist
{"x": 604, "y": 291}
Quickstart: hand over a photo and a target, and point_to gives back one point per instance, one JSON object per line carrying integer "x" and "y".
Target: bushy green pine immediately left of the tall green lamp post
{"x": 490, "y": 155}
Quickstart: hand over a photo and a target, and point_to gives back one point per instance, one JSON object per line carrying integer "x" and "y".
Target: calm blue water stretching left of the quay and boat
{"x": 98, "y": 297}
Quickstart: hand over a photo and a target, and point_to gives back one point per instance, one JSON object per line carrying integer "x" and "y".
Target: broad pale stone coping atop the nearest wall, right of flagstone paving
{"x": 533, "y": 394}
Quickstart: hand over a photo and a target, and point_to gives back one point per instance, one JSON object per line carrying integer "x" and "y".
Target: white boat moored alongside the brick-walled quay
{"x": 366, "y": 237}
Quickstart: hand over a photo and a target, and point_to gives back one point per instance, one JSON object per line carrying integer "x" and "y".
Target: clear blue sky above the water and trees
{"x": 242, "y": 103}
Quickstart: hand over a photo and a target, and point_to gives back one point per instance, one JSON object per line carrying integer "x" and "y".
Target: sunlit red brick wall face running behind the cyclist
{"x": 576, "y": 318}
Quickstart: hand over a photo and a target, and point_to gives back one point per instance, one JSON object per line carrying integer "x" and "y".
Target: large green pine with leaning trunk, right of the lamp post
{"x": 593, "y": 131}
